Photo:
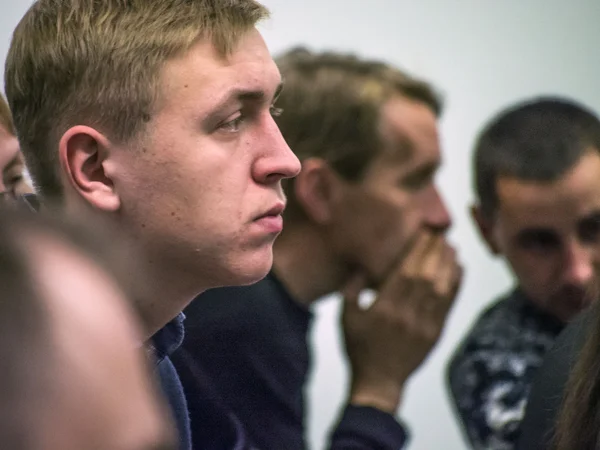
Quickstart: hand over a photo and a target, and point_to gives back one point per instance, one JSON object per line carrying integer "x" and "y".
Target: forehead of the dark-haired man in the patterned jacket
{"x": 565, "y": 200}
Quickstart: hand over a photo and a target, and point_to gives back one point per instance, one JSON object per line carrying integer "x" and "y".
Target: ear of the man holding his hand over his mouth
{"x": 315, "y": 189}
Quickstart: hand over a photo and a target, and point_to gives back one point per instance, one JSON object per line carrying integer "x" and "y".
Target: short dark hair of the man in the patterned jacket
{"x": 537, "y": 140}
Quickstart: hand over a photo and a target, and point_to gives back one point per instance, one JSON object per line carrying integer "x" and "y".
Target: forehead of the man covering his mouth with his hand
{"x": 410, "y": 132}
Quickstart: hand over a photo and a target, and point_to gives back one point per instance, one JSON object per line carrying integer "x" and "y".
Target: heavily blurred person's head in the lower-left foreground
{"x": 74, "y": 373}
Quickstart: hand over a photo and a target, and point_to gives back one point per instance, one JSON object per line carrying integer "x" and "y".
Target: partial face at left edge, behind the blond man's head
{"x": 11, "y": 165}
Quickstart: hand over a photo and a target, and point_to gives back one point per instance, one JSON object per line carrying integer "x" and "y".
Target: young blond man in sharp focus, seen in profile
{"x": 157, "y": 117}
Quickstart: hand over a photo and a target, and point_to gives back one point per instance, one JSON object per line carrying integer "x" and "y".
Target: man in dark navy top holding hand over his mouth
{"x": 363, "y": 213}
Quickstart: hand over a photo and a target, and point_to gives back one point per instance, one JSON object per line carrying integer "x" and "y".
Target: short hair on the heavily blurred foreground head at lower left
{"x": 27, "y": 347}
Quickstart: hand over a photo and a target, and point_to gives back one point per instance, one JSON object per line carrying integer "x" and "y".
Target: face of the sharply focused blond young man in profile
{"x": 203, "y": 190}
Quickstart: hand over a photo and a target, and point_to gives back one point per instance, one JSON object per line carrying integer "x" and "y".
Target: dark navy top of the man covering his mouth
{"x": 251, "y": 342}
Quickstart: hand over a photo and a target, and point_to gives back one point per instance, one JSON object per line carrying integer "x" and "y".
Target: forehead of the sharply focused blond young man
{"x": 200, "y": 77}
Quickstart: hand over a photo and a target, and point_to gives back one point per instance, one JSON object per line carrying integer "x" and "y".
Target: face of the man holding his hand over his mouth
{"x": 374, "y": 220}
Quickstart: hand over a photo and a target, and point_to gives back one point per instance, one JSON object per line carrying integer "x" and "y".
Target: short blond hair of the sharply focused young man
{"x": 98, "y": 63}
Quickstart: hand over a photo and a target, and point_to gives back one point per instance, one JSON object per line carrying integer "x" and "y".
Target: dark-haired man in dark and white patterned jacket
{"x": 537, "y": 177}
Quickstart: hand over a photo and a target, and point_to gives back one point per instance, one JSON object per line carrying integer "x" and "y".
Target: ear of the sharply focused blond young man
{"x": 83, "y": 155}
